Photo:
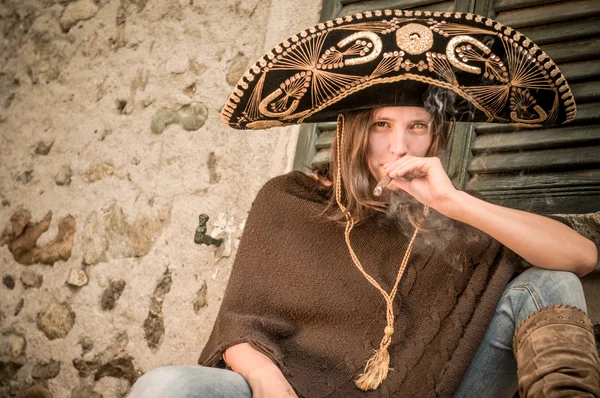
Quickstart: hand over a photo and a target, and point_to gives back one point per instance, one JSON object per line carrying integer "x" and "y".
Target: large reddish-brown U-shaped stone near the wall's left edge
{"x": 24, "y": 246}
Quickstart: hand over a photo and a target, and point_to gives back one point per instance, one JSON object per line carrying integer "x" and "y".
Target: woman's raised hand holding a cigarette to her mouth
{"x": 430, "y": 185}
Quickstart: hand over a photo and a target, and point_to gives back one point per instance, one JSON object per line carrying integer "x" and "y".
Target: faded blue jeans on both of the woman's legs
{"x": 493, "y": 372}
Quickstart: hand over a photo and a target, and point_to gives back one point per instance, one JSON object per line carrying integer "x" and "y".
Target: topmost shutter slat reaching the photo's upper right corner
{"x": 550, "y": 13}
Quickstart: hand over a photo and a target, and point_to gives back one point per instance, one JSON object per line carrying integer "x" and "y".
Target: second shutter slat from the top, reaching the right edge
{"x": 571, "y": 30}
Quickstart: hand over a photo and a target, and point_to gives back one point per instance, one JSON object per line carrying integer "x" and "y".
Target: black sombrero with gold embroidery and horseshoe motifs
{"x": 381, "y": 58}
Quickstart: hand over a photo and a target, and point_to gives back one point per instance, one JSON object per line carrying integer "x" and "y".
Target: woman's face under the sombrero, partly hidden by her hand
{"x": 396, "y": 132}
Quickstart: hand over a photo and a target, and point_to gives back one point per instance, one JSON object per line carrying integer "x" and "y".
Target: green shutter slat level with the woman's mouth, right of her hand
{"x": 547, "y": 159}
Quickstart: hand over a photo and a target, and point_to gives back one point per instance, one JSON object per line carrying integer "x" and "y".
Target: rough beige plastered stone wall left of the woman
{"x": 110, "y": 148}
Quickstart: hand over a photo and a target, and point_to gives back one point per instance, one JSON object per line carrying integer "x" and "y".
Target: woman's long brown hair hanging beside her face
{"x": 357, "y": 181}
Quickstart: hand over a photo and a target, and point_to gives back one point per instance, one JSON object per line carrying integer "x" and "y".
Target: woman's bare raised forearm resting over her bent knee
{"x": 541, "y": 241}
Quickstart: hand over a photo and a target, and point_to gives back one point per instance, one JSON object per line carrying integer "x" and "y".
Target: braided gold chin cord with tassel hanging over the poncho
{"x": 377, "y": 367}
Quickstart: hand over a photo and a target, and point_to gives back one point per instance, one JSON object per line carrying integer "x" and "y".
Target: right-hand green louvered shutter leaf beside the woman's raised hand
{"x": 553, "y": 170}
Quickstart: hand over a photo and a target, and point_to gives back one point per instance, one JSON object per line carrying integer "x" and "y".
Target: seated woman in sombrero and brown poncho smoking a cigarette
{"x": 329, "y": 296}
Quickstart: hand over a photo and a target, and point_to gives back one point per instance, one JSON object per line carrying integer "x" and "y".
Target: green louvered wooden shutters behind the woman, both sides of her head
{"x": 554, "y": 170}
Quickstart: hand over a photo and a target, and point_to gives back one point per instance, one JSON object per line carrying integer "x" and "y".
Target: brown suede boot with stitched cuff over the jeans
{"x": 556, "y": 354}
